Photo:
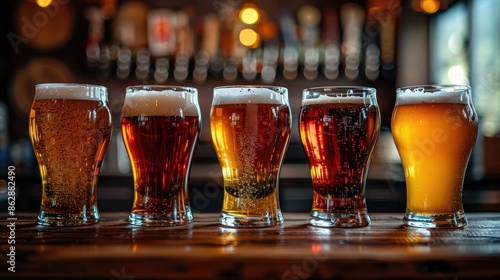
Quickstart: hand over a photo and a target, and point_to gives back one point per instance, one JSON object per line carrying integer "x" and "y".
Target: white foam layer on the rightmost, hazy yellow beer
{"x": 420, "y": 95}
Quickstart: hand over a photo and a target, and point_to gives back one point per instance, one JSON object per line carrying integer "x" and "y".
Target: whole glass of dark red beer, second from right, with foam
{"x": 338, "y": 129}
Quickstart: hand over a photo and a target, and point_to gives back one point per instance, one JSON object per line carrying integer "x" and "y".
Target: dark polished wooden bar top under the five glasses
{"x": 114, "y": 249}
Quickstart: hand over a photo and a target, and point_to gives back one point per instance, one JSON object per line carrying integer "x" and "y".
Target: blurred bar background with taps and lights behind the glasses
{"x": 292, "y": 43}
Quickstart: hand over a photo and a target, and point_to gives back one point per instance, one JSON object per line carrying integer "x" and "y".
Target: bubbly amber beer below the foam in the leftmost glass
{"x": 66, "y": 166}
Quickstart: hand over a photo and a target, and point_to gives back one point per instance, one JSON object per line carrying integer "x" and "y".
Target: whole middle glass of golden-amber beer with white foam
{"x": 250, "y": 127}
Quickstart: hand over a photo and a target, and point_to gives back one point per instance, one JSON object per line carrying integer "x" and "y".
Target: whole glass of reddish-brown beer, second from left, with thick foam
{"x": 160, "y": 128}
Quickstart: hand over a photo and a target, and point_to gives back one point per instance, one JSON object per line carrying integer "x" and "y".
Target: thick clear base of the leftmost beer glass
{"x": 67, "y": 219}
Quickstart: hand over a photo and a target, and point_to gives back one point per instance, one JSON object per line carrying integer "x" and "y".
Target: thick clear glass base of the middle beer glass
{"x": 231, "y": 220}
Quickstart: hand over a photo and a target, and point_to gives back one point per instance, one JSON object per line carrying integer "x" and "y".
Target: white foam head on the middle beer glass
{"x": 239, "y": 95}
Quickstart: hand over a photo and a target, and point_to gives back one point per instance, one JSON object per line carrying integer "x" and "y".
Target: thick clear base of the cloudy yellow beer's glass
{"x": 453, "y": 220}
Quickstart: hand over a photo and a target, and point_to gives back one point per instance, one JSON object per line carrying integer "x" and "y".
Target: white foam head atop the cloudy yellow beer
{"x": 433, "y": 94}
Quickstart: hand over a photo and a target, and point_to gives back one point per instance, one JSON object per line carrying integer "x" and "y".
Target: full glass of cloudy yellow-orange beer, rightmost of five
{"x": 434, "y": 128}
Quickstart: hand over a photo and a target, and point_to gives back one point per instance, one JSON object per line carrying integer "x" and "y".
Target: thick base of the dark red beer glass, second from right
{"x": 344, "y": 220}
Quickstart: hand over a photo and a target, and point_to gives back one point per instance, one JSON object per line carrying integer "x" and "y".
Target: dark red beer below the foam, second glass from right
{"x": 338, "y": 139}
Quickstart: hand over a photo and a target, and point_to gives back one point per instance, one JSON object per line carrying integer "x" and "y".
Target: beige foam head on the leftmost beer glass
{"x": 71, "y": 91}
